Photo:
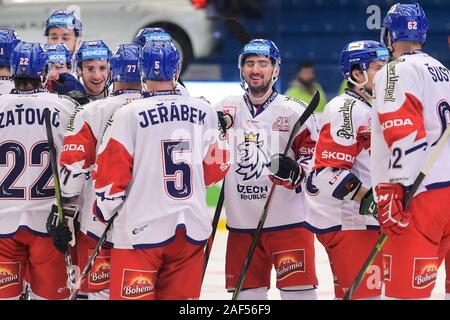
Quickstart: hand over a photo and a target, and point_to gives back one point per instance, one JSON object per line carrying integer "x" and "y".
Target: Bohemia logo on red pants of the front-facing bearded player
{"x": 289, "y": 262}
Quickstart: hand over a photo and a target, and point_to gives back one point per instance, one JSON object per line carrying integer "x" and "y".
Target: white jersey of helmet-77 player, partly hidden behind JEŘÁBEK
{"x": 79, "y": 153}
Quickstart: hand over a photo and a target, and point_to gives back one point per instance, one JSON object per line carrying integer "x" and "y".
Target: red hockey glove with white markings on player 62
{"x": 391, "y": 216}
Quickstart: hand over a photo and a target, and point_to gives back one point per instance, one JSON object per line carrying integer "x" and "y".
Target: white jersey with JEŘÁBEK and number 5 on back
{"x": 154, "y": 162}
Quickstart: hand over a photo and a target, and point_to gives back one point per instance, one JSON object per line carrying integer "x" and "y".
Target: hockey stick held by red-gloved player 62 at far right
{"x": 381, "y": 242}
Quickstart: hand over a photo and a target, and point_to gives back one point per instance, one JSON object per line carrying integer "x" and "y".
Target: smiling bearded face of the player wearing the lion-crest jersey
{"x": 257, "y": 71}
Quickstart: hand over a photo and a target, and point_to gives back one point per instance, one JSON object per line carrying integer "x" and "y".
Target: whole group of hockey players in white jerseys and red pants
{"x": 135, "y": 154}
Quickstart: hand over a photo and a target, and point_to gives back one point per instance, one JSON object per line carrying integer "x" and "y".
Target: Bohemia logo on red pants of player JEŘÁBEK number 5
{"x": 137, "y": 283}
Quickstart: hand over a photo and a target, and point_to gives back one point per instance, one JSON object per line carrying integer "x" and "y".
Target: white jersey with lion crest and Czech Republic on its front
{"x": 253, "y": 140}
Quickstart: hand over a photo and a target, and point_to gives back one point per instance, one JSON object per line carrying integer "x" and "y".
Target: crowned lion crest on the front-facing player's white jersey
{"x": 252, "y": 160}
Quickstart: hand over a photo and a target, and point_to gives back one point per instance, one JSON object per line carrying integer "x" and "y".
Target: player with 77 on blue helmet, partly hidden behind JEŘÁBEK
{"x": 78, "y": 158}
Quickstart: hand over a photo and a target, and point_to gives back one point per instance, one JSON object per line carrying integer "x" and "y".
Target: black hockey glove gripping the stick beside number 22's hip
{"x": 63, "y": 234}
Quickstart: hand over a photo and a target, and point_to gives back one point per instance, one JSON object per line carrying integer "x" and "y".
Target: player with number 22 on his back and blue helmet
{"x": 26, "y": 190}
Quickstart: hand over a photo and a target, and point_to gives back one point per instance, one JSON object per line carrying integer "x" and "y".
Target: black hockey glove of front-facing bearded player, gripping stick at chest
{"x": 285, "y": 171}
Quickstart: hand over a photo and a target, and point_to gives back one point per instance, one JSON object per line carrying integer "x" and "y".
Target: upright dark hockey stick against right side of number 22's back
{"x": 70, "y": 269}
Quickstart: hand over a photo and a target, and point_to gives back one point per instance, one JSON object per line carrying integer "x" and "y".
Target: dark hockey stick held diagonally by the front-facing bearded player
{"x": 305, "y": 115}
